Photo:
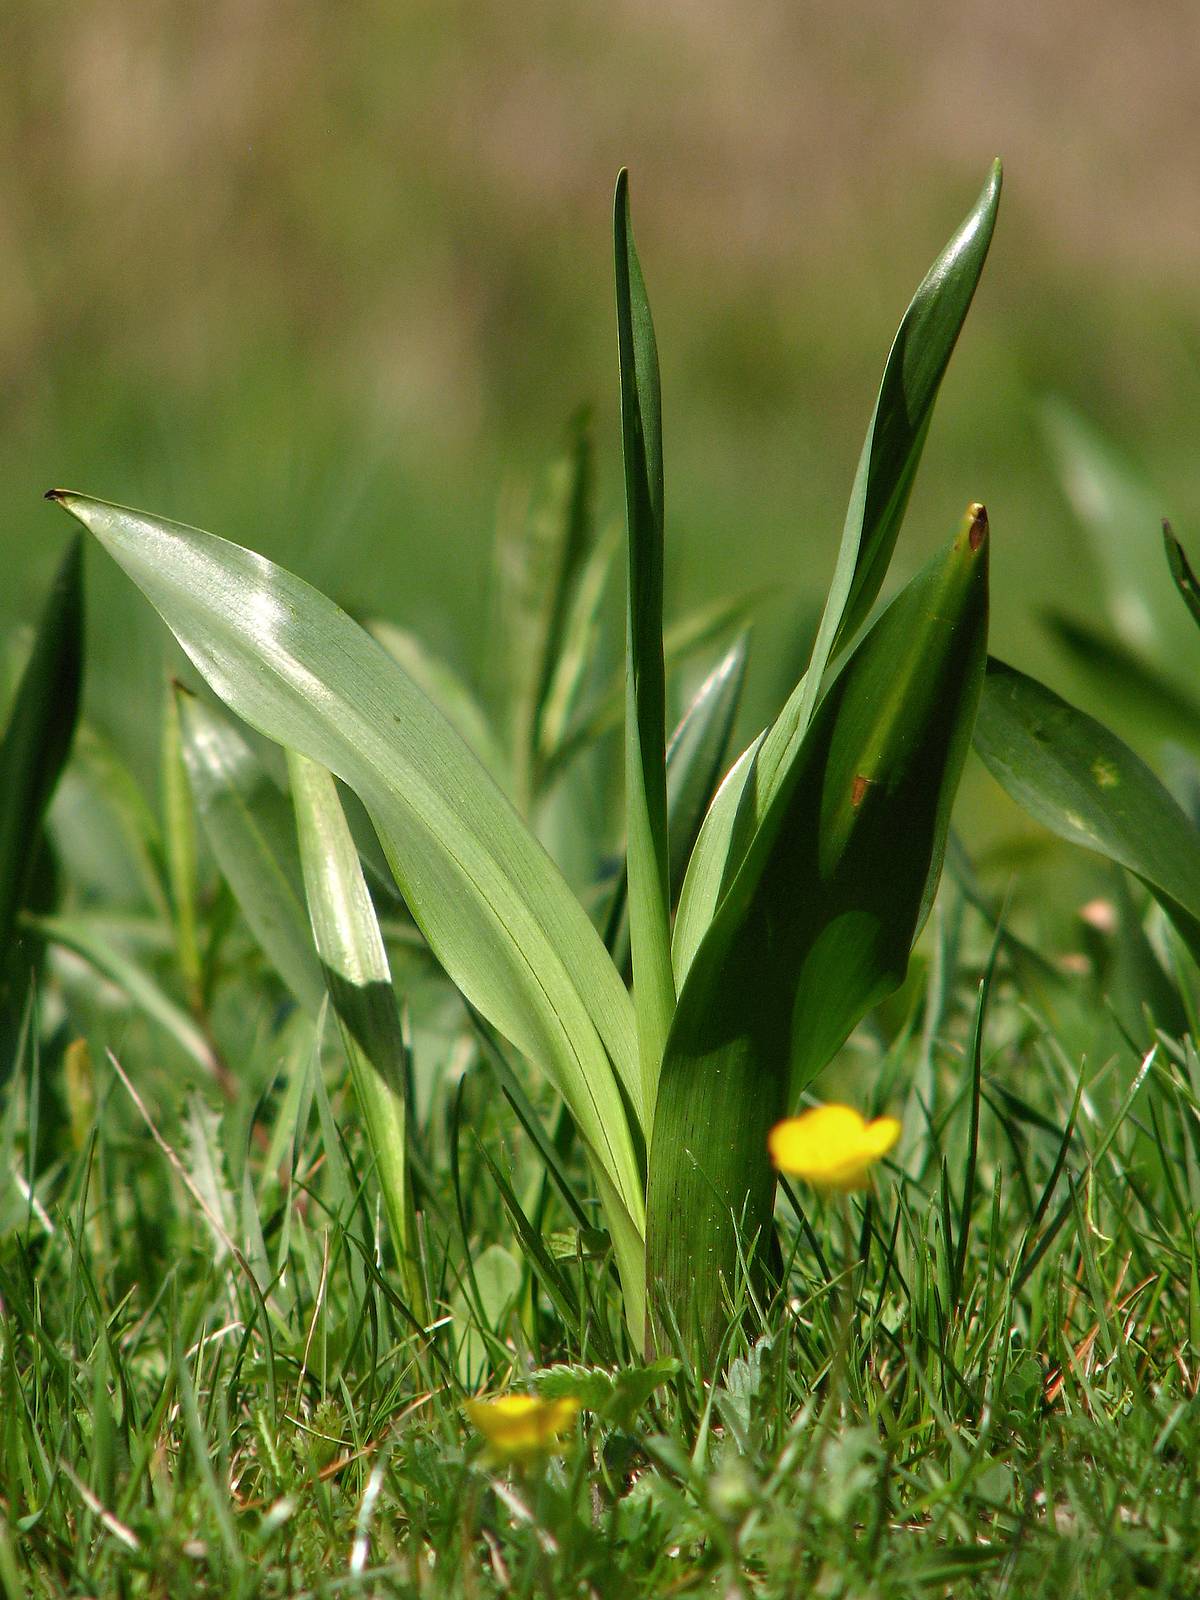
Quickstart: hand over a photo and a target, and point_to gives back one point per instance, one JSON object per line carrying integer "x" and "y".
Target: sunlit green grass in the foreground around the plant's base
{"x": 958, "y": 1394}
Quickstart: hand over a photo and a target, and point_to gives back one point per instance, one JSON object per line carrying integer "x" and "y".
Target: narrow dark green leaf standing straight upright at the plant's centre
{"x": 647, "y": 850}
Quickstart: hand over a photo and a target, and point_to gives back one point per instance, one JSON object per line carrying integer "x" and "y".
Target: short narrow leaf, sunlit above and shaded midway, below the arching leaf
{"x": 359, "y": 983}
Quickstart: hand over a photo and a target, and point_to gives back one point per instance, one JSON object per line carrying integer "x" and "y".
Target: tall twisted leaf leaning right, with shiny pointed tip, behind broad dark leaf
{"x": 878, "y": 503}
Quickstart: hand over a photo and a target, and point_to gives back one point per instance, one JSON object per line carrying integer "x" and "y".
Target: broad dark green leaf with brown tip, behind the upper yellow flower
{"x": 818, "y": 924}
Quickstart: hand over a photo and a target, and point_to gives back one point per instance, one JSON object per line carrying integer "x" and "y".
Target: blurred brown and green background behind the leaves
{"x": 332, "y": 279}
